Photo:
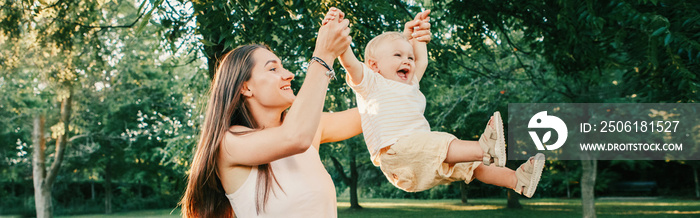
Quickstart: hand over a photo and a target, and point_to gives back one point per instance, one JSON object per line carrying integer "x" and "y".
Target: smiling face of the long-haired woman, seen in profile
{"x": 270, "y": 83}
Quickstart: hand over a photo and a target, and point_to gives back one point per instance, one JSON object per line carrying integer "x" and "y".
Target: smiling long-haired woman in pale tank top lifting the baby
{"x": 258, "y": 151}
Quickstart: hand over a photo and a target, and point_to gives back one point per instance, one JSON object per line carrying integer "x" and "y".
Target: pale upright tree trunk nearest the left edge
{"x": 42, "y": 195}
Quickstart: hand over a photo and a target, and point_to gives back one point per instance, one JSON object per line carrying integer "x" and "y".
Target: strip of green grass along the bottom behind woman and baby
{"x": 539, "y": 208}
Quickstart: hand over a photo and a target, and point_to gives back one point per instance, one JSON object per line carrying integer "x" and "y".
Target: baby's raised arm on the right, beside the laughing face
{"x": 418, "y": 31}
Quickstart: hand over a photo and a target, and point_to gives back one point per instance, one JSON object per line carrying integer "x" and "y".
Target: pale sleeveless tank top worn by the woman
{"x": 308, "y": 189}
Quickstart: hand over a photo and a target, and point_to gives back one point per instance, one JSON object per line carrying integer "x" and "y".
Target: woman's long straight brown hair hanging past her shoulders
{"x": 205, "y": 195}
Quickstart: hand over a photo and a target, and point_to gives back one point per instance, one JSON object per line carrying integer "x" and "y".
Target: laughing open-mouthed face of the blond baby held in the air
{"x": 395, "y": 60}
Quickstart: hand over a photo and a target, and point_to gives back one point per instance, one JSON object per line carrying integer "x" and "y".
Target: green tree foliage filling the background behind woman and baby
{"x": 140, "y": 72}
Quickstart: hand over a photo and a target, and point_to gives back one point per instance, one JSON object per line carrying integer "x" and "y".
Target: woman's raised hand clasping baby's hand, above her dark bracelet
{"x": 333, "y": 37}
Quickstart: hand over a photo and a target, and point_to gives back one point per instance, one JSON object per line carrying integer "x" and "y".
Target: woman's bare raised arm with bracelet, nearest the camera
{"x": 296, "y": 133}
